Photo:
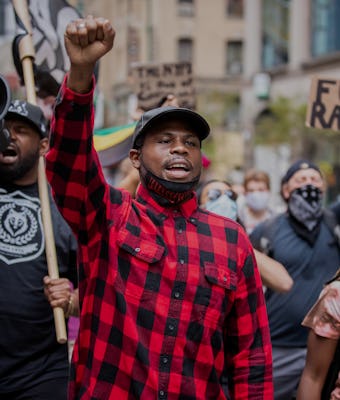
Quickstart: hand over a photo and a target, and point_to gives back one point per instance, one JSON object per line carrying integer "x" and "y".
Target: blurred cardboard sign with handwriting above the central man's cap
{"x": 151, "y": 82}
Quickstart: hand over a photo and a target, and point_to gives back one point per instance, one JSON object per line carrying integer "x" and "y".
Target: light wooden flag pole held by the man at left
{"x": 27, "y": 55}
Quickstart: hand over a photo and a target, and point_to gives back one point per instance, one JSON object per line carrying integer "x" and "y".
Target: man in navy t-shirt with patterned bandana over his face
{"x": 302, "y": 239}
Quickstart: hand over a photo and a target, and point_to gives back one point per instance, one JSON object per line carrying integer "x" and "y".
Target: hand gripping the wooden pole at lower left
{"x": 58, "y": 292}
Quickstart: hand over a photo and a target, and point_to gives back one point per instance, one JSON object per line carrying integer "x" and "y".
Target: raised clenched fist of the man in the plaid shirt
{"x": 86, "y": 41}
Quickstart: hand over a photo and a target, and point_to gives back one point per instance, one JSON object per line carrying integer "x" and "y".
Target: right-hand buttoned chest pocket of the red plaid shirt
{"x": 218, "y": 293}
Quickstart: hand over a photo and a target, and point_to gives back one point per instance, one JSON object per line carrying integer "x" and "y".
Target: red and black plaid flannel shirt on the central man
{"x": 169, "y": 296}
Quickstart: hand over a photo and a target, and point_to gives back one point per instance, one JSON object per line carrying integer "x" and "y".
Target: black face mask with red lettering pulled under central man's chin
{"x": 168, "y": 193}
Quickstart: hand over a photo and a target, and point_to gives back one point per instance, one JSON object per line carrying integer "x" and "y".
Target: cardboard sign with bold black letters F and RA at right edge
{"x": 323, "y": 110}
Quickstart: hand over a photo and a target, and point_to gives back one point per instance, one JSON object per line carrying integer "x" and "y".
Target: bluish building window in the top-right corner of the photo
{"x": 325, "y": 27}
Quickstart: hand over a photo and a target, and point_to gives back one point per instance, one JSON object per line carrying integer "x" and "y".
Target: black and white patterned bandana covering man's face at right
{"x": 305, "y": 205}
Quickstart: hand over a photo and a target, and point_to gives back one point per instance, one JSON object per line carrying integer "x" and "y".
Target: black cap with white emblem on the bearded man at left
{"x": 30, "y": 113}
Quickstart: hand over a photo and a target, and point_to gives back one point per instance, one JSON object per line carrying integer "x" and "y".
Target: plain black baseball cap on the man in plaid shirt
{"x": 151, "y": 118}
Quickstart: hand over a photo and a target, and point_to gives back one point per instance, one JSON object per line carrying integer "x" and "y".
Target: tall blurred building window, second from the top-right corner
{"x": 275, "y": 34}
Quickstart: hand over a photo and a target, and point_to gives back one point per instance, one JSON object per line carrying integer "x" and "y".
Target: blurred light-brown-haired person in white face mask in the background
{"x": 255, "y": 208}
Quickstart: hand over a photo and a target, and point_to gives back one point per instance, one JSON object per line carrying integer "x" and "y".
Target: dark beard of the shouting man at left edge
{"x": 11, "y": 173}
